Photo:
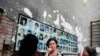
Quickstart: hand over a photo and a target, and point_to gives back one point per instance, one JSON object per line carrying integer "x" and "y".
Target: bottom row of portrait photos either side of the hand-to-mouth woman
{"x": 42, "y": 46}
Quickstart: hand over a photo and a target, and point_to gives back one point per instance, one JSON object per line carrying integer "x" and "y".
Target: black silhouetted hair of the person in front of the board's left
{"x": 28, "y": 45}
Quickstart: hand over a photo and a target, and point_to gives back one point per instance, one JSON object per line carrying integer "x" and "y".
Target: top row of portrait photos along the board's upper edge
{"x": 35, "y": 25}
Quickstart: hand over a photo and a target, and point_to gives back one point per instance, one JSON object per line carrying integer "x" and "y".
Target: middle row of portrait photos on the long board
{"x": 43, "y": 35}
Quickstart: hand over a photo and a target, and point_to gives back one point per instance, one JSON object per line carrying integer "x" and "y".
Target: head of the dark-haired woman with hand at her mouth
{"x": 52, "y": 43}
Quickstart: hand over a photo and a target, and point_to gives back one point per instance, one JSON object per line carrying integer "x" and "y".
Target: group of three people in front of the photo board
{"x": 30, "y": 42}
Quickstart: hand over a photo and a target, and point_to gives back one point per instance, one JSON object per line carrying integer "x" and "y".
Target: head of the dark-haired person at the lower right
{"x": 89, "y": 51}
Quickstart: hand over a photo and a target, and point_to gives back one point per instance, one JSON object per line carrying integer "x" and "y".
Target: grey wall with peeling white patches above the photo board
{"x": 72, "y": 16}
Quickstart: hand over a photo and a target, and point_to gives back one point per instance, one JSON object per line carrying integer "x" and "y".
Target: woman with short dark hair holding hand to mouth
{"x": 52, "y": 48}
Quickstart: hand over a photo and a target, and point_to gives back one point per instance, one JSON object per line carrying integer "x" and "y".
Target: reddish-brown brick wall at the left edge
{"x": 6, "y": 27}
